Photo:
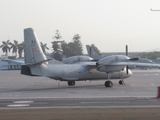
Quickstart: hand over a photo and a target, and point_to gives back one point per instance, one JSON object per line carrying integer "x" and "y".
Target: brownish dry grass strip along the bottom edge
{"x": 81, "y": 114}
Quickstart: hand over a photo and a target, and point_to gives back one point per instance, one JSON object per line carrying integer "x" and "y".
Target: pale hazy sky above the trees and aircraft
{"x": 109, "y": 24}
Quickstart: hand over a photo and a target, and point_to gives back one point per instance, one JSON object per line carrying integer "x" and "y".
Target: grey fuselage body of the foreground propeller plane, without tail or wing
{"x": 74, "y": 72}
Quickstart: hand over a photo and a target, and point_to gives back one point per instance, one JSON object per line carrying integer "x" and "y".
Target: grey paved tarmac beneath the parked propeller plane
{"x": 18, "y": 90}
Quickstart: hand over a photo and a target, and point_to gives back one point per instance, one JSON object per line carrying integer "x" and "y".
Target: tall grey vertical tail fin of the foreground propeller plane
{"x": 33, "y": 52}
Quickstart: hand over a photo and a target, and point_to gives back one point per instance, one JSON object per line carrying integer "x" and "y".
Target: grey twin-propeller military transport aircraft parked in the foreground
{"x": 36, "y": 64}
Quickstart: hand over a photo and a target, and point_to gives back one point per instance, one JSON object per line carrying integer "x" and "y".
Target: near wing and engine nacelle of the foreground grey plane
{"x": 116, "y": 63}
